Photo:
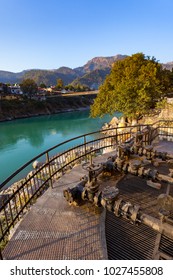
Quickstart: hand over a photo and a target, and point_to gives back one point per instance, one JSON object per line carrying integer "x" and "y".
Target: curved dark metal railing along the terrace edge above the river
{"x": 15, "y": 200}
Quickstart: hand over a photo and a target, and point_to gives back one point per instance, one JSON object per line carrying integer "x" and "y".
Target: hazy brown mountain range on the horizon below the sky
{"x": 92, "y": 74}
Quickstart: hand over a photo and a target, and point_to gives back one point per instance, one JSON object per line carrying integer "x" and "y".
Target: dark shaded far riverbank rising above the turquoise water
{"x": 25, "y": 108}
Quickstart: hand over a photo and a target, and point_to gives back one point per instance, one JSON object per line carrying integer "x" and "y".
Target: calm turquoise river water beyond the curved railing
{"x": 23, "y": 139}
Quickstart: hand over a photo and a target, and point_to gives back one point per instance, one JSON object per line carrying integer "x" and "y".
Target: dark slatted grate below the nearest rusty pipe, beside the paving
{"x": 127, "y": 241}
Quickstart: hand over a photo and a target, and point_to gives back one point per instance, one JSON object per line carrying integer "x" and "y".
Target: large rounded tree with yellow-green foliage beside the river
{"x": 134, "y": 85}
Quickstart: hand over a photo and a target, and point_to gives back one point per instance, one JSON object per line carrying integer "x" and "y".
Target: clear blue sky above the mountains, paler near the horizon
{"x": 48, "y": 34}
